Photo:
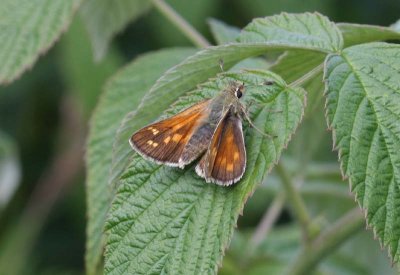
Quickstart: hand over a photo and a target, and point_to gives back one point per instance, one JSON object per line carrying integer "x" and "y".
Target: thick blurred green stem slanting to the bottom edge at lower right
{"x": 327, "y": 242}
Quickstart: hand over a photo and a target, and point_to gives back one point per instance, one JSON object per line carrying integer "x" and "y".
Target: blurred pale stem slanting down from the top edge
{"x": 191, "y": 33}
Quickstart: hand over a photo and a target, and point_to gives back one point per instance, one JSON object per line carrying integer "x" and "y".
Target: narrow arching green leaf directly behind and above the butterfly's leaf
{"x": 177, "y": 81}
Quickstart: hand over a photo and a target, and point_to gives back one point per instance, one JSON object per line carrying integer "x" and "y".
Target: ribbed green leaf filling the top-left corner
{"x": 28, "y": 29}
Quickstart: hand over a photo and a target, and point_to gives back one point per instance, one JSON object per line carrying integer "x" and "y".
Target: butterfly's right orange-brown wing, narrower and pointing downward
{"x": 225, "y": 160}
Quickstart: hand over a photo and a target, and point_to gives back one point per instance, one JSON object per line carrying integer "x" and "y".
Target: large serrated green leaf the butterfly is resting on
{"x": 168, "y": 220}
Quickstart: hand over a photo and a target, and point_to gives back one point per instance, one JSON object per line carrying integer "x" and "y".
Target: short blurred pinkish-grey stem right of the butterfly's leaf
{"x": 269, "y": 219}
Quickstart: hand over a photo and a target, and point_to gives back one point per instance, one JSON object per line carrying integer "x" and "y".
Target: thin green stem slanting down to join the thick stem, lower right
{"x": 294, "y": 198}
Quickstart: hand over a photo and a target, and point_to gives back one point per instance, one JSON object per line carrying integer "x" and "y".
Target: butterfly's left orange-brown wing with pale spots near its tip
{"x": 164, "y": 141}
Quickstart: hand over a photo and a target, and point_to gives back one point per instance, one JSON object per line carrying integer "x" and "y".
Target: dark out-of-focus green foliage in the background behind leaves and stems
{"x": 44, "y": 113}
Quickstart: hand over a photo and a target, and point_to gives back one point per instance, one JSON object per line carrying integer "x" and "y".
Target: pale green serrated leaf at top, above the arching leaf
{"x": 311, "y": 29}
